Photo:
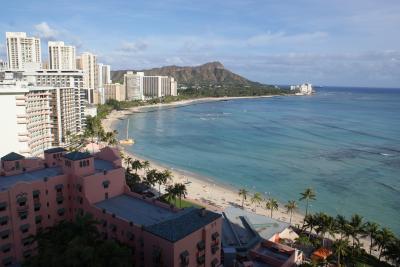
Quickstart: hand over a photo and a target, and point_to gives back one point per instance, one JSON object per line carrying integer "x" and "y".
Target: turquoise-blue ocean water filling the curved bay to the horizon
{"x": 345, "y": 143}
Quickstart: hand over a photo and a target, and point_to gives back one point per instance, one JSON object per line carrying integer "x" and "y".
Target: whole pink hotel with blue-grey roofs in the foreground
{"x": 38, "y": 193}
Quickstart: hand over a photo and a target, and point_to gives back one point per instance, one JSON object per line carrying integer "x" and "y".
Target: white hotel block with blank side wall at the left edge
{"x": 28, "y": 118}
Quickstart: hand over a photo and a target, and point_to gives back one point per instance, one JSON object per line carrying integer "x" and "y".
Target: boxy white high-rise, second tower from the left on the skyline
{"x": 61, "y": 56}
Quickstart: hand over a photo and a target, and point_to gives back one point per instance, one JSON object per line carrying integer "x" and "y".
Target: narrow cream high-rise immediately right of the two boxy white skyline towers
{"x": 88, "y": 63}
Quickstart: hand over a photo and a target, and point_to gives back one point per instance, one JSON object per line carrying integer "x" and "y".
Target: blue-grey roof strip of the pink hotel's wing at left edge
{"x": 8, "y": 181}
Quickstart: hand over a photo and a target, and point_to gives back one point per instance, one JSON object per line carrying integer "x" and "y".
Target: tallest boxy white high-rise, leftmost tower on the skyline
{"x": 23, "y": 52}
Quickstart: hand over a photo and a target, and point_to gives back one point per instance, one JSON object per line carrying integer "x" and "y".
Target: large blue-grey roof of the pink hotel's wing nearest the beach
{"x": 159, "y": 221}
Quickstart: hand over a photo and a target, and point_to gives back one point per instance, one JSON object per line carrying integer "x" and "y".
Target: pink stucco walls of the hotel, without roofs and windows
{"x": 81, "y": 187}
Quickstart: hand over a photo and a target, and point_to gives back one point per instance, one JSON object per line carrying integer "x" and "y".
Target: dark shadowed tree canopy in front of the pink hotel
{"x": 78, "y": 243}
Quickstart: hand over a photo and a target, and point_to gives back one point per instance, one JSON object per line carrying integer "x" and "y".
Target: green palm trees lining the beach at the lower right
{"x": 340, "y": 235}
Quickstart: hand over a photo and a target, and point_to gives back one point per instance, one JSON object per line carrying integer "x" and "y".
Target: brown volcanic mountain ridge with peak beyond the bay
{"x": 209, "y": 80}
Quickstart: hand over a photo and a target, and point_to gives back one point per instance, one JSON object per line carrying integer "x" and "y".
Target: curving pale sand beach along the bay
{"x": 203, "y": 190}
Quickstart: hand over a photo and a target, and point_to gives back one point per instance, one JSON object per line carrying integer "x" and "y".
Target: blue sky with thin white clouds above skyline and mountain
{"x": 335, "y": 42}
